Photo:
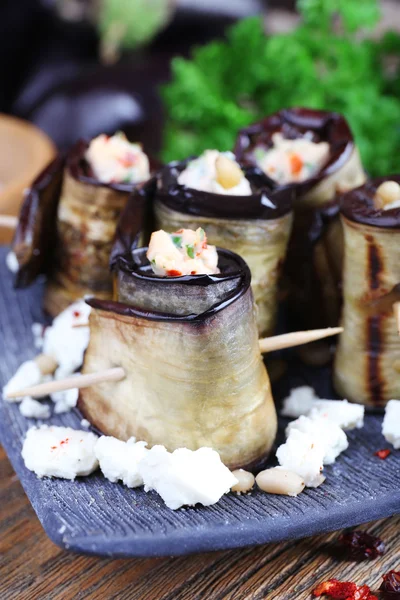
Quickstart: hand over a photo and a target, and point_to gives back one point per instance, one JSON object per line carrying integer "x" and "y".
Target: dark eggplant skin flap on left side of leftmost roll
{"x": 35, "y": 236}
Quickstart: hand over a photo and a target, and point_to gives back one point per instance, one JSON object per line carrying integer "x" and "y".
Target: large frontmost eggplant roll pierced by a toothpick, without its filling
{"x": 194, "y": 373}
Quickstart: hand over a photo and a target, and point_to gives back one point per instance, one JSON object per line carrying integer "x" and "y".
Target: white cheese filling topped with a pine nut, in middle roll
{"x": 215, "y": 172}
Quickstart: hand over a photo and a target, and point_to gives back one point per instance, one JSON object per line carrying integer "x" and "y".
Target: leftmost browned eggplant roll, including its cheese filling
{"x": 67, "y": 229}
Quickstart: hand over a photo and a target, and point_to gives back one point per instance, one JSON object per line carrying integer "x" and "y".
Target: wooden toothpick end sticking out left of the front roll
{"x": 77, "y": 381}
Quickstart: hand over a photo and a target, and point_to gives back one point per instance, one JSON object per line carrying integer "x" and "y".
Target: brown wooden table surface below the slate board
{"x": 32, "y": 567}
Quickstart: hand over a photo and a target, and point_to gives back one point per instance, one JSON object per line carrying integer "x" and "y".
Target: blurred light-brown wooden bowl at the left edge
{"x": 24, "y": 151}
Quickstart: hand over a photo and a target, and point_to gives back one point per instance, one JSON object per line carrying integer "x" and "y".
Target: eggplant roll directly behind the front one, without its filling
{"x": 257, "y": 227}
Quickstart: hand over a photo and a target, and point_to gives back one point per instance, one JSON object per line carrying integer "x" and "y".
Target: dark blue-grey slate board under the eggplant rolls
{"x": 91, "y": 515}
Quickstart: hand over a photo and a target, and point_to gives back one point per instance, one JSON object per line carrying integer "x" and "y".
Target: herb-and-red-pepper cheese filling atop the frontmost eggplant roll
{"x": 184, "y": 252}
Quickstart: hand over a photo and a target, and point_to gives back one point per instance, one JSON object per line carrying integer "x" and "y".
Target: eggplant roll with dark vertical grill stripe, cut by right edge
{"x": 367, "y": 363}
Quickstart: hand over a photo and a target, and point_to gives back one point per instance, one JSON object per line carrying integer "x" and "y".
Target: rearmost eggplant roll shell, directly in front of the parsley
{"x": 314, "y": 262}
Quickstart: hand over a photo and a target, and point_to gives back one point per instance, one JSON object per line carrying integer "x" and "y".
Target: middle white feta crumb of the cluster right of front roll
{"x": 325, "y": 433}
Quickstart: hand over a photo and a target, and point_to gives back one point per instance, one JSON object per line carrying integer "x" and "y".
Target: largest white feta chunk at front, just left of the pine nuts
{"x": 186, "y": 477}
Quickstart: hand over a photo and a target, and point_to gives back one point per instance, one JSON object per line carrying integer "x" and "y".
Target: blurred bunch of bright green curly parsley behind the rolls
{"x": 325, "y": 63}
